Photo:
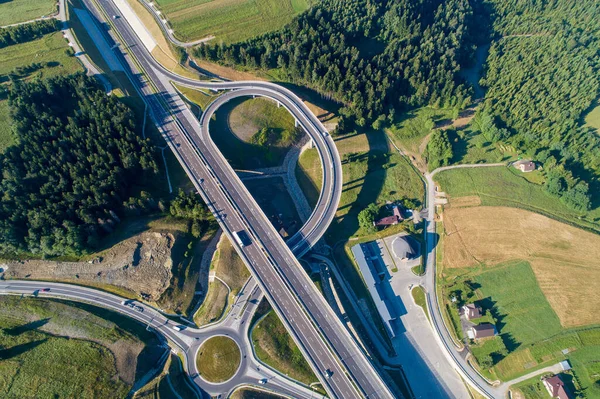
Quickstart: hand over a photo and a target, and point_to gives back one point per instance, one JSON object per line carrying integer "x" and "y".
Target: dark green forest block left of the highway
{"x": 64, "y": 184}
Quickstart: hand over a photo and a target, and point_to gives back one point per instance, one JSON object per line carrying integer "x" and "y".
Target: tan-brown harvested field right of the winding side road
{"x": 565, "y": 260}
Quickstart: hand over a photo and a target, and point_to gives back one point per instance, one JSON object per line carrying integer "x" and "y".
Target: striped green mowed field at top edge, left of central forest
{"x": 228, "y": 20}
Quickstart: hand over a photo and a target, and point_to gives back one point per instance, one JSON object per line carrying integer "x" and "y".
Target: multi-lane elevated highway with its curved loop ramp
{"x": 344, "y": 370}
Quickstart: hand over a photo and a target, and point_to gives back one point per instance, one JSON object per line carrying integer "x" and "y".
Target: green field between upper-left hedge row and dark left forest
{"x": 50, "y": 50}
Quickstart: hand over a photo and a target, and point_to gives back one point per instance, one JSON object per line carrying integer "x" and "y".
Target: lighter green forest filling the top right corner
{"x": 541, "y": 78}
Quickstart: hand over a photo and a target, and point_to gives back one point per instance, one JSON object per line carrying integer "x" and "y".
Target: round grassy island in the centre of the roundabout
{"x": 218, "y": 359}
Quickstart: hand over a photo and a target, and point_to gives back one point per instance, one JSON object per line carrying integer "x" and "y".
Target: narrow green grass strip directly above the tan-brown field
{"x": 502, "y": 186}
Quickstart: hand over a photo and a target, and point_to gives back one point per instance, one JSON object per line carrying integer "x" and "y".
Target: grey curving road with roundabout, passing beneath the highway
{"x": 235, "y": 326}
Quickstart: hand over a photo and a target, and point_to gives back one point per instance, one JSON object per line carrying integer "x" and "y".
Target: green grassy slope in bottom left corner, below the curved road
{"x": 58, "y": 349}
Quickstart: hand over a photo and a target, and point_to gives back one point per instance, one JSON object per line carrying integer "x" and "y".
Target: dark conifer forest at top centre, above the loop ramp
{"x": 375, "y": 57}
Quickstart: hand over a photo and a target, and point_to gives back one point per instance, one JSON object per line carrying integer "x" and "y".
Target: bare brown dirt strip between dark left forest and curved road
{"x": 141, "y": 264}
